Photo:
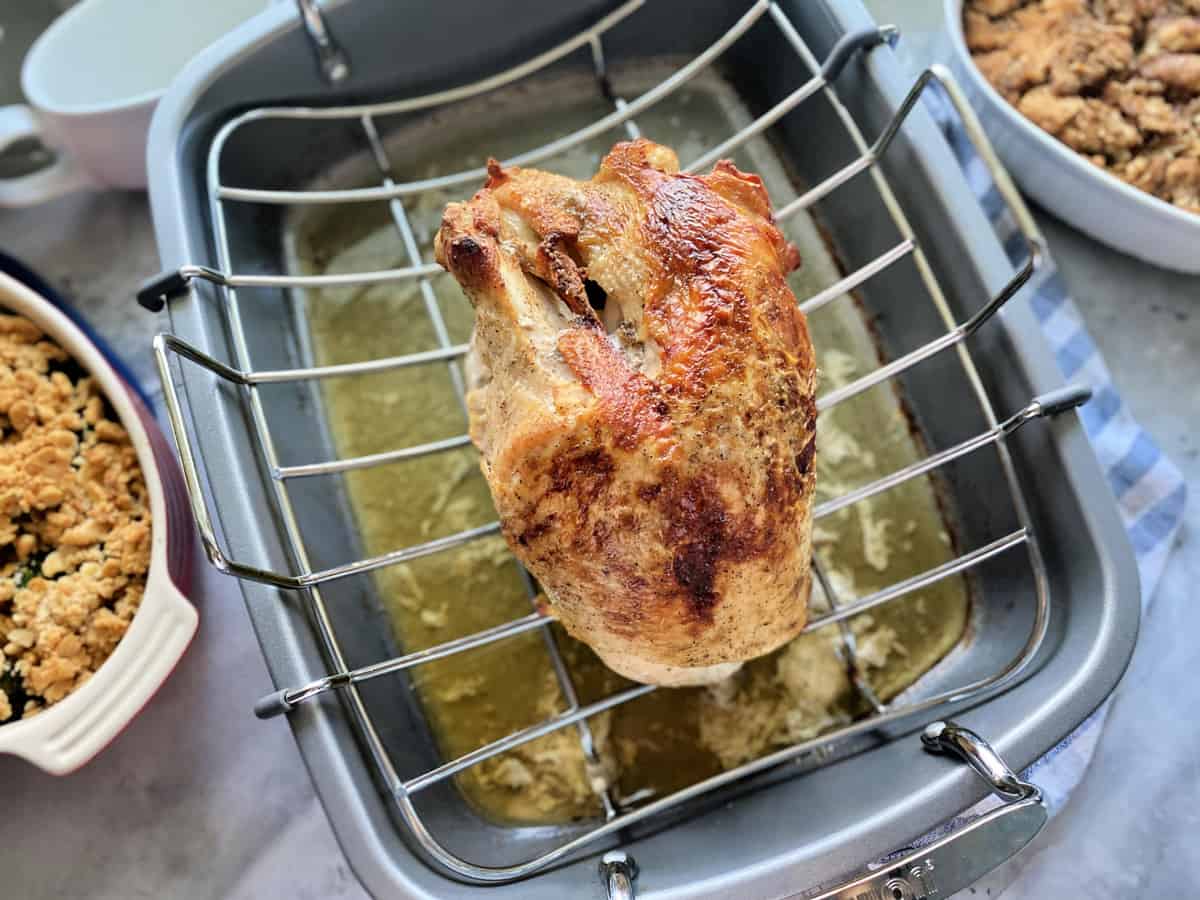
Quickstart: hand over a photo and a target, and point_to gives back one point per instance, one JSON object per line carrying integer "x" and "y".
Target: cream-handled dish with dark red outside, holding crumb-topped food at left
{"x": 71, "y": 733}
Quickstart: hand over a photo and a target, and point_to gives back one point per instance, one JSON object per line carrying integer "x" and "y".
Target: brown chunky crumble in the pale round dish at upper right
{"x": 1118, "y": 81}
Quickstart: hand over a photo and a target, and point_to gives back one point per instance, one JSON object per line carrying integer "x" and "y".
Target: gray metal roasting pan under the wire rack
{"x": 779, "y": 832}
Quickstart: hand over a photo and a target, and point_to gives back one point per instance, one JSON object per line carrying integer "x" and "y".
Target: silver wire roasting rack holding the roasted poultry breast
{"x": 250, "y": 380}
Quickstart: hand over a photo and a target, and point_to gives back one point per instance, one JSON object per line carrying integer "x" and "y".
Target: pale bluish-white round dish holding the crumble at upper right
{"x": 1070, "y": 187}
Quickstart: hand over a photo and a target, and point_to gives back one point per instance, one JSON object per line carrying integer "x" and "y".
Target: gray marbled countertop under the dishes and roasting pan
{"x": 164, "y": 811}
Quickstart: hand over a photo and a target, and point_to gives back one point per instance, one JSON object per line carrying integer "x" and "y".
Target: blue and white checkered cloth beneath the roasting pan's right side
{"x": 1149, "y": 489}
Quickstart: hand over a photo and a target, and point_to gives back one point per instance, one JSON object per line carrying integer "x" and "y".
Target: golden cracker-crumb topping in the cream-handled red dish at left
{"x": 75, "y": 524}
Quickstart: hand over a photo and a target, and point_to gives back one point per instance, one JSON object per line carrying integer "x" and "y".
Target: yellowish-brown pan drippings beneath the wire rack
{"x": 670, "y": 739}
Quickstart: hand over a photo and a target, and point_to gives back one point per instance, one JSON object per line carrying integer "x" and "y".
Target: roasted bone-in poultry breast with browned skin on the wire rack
{"x": 652, "y": 464}
